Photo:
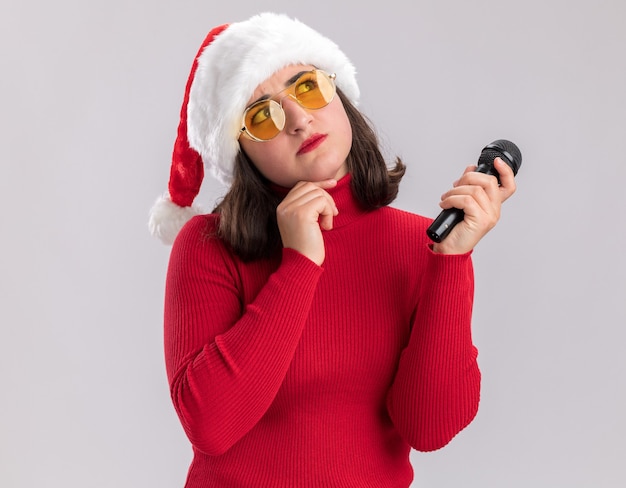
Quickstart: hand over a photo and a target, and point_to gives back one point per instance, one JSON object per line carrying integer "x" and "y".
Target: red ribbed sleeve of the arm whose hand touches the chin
{"x": 226, "y": 361}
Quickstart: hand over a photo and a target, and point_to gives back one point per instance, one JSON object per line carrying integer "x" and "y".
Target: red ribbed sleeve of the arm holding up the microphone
{"x": 436, "y": 389}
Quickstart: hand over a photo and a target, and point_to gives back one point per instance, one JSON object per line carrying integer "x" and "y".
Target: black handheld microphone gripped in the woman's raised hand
{"x": 449, "y": 217}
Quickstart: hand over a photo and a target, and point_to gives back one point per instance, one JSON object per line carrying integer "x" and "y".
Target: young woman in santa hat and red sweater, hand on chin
{"x": 313, "y": 334}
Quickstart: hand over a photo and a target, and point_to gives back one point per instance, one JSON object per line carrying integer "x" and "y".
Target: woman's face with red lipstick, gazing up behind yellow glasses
{"x": 314, "y": 144}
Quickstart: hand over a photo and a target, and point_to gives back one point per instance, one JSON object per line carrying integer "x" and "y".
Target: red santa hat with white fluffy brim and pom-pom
{"x": 232, "y": 61}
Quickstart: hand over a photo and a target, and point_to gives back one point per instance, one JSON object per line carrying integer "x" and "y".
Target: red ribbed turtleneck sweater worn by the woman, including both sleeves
{"x": 287, "y": 374}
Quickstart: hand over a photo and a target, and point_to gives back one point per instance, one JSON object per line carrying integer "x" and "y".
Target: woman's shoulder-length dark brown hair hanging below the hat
{"x": 248, "y": 211}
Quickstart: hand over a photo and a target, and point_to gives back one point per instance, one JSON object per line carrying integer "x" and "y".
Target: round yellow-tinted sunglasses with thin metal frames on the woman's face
{"x": 265, "y": 119}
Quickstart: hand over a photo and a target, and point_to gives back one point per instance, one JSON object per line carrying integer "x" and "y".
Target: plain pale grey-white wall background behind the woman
{"x": 90, "y": 94}
